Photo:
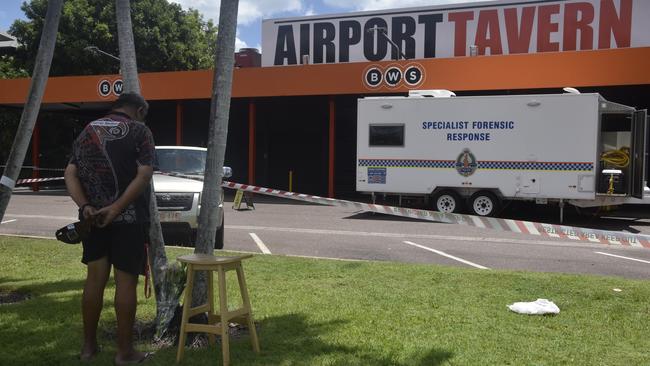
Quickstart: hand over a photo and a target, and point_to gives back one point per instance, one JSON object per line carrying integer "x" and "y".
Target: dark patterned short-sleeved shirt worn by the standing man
{"x": 107, "y": 154}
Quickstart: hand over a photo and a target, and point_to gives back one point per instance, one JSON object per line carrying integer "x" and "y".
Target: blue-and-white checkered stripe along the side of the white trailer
{"x": 498, "y": 165}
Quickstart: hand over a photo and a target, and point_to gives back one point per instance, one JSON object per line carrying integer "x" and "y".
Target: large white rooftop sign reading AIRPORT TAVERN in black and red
{"x": 495, "y": 27}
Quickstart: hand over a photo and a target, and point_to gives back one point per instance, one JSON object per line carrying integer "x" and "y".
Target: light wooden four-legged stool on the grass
{"x": 210, "y": 263}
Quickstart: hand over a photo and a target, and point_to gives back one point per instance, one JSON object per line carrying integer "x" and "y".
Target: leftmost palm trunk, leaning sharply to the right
{"x": 33, "y": 105}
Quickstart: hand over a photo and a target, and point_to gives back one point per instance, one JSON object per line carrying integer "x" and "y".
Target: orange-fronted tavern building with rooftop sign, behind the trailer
{"x": 297, "y": 113}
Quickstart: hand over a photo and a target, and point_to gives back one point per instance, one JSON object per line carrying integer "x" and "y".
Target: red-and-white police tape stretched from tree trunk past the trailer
{"x": 524, "y": 227}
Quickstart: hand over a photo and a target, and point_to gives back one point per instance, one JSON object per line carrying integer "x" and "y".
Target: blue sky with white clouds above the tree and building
{"x": 251, "y": 12}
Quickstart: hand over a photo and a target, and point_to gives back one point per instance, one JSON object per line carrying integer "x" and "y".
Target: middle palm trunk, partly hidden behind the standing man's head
{"x": 168, "y": 278}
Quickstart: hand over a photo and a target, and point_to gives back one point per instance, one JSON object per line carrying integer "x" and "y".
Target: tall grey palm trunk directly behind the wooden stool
{"x": 219, "y": 113}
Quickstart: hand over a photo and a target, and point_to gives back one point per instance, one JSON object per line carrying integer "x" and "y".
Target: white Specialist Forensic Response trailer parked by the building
{"x": 481, "y": 150}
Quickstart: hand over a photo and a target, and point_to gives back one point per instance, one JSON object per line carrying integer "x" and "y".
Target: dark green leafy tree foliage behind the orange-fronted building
{"x": 167, "y": 38}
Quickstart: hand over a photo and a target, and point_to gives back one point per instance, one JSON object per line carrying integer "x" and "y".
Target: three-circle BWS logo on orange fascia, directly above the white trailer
{"x": 393, "y": 76}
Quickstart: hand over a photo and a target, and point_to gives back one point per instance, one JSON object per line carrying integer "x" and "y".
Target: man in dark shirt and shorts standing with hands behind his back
{"x": 108, "y": 178}
